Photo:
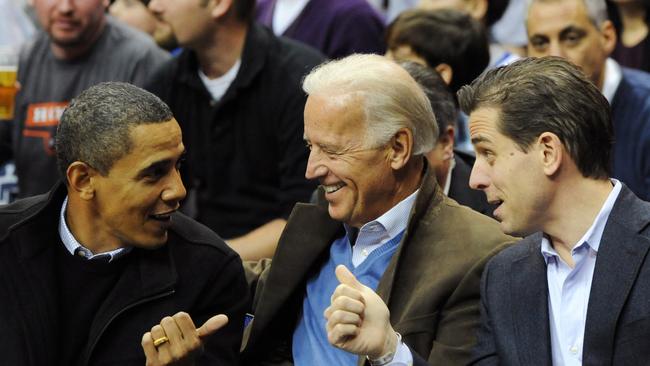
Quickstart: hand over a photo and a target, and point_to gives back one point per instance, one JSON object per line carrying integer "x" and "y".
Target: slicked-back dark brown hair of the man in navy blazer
{"x": 547, "y": 94}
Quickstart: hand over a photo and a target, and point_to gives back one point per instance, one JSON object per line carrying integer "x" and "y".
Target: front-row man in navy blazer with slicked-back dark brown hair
{"x": 576, "y": 291}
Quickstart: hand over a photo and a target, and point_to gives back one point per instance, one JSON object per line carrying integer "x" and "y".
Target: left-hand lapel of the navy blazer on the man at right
{"x": 529, "y": 299}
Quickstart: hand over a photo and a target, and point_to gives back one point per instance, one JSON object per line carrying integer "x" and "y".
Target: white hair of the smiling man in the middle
{"x": 391, "y": 98}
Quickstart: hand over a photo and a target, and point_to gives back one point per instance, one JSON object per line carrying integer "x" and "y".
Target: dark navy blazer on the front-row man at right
{"x": 514, "y": 297}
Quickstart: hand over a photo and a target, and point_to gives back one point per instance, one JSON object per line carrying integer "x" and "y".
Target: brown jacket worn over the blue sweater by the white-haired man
{"x": 431, "y": 285}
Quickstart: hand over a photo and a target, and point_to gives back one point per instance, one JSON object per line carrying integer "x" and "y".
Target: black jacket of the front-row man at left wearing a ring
{"x": 194, "y": 272}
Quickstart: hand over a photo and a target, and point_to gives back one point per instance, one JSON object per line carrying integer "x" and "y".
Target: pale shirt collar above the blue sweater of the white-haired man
{"x": 375, "y": 233}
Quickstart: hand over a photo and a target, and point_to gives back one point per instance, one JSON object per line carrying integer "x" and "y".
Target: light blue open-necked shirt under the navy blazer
{"x": 569, "y": 288}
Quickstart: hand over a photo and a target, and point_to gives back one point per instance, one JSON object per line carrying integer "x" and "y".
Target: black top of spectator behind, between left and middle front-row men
{"x": 246, "y": 157}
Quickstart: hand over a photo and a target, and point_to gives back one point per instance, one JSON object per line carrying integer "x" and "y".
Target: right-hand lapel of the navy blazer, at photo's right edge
{"x": 621, "y": 254}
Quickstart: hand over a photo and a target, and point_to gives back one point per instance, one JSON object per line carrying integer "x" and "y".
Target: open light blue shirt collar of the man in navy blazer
{"x": 593, "y": 235}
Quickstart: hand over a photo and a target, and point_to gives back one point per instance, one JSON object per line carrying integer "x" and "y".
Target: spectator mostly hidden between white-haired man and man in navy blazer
{"x": 451, "y": 167}
